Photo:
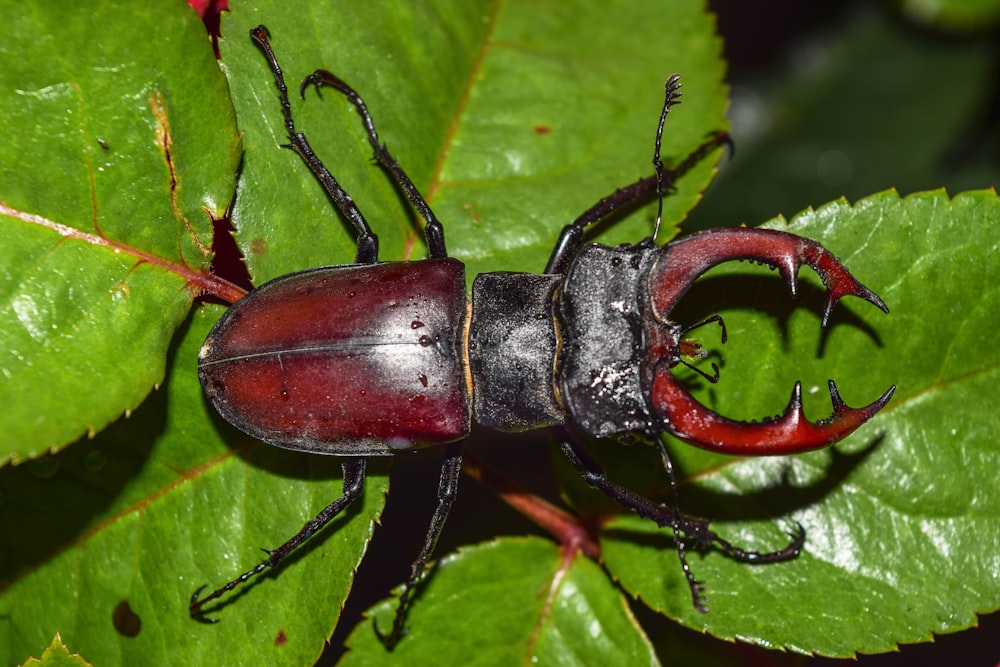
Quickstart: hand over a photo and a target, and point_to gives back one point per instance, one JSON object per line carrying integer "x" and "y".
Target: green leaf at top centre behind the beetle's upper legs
{"x": 499, "y": 117}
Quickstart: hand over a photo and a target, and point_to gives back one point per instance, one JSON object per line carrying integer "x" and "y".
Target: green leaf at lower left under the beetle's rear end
{"x": 158, "y": 505}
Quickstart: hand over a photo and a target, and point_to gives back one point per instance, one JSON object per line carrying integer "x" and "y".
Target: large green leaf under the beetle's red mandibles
{"x": 901, "y": 518}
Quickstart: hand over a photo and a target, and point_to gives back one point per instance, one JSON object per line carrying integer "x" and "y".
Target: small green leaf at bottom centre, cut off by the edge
{"x": 545, "y": 606}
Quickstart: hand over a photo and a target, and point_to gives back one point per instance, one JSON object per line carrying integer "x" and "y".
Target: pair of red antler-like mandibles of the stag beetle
{"x": 676, "y": 269}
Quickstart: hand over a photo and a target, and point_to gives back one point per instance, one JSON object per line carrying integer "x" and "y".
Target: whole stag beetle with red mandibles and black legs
{"x": 374, "y": 359}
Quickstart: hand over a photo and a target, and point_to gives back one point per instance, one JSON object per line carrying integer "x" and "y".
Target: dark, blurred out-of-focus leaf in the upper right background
{"x": 848, "y": 114}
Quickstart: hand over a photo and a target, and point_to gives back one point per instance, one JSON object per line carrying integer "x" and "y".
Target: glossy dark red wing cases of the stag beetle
{"x": 345, "y": 360}
